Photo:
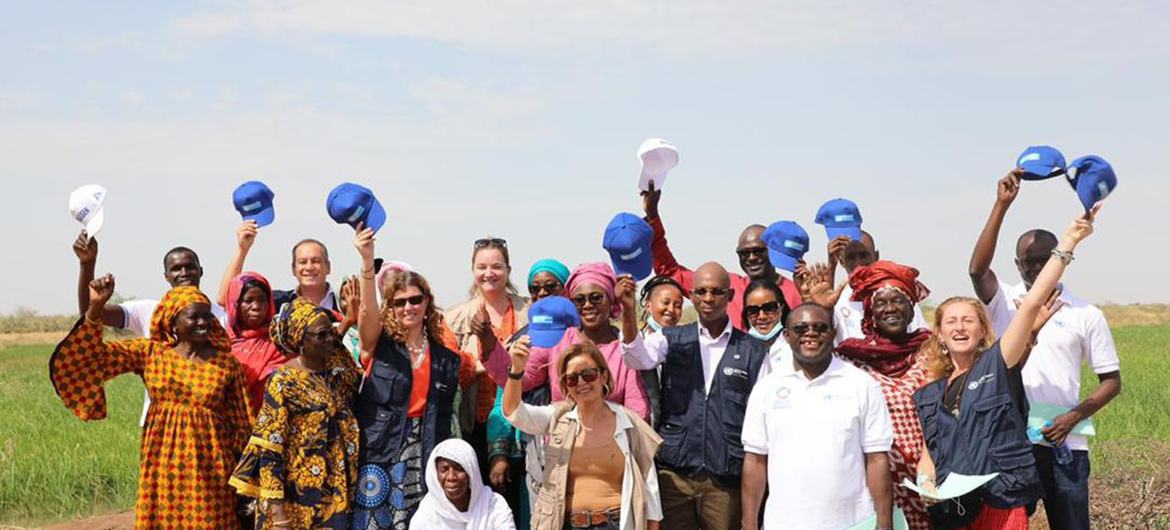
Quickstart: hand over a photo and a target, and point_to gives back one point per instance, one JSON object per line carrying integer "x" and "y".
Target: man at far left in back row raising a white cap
{"x": 181, "y": 267}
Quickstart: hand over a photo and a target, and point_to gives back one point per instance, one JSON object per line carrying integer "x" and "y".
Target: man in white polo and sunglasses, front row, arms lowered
{"x": 817, "y": 433}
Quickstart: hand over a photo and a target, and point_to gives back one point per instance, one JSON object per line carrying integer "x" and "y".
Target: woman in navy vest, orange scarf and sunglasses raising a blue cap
{"x": 408, "y": 398}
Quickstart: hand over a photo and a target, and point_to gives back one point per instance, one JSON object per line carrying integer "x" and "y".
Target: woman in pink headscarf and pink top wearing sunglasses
{"x": 595, "y": 291}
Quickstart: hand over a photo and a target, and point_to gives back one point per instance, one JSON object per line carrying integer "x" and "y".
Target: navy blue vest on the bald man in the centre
{"x": 701, "y": 435}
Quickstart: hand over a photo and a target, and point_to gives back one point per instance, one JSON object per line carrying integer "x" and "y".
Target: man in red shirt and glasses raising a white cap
{"x": 754, "y": 260}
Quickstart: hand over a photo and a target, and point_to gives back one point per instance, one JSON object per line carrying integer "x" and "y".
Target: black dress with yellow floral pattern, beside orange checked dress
{"x": 305, "y": 446}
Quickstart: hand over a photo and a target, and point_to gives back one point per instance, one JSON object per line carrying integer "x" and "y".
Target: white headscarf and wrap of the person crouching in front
{"x": 487, "y": 511}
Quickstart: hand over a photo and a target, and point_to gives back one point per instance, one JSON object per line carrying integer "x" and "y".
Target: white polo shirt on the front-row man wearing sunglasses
{"x": 816, "y": 435}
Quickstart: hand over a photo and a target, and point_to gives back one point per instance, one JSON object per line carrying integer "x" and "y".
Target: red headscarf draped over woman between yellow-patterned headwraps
{"x": 253, "y": 348}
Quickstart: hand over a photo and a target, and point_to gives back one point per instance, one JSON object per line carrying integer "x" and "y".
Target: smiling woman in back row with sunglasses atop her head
{"x": 493, "y": 294}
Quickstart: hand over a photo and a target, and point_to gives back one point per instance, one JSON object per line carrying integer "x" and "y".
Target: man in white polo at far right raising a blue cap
{"x": 1077, "y": 334}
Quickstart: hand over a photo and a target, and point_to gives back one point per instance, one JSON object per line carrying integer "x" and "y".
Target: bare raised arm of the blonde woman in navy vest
{"x": 1017, "y": 340}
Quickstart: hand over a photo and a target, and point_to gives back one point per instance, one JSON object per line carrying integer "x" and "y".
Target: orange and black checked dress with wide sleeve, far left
{"x": 197, "y": 428}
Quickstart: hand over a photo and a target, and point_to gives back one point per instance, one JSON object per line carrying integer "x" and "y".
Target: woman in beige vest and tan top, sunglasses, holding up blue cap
{"x": 600, "y": 471}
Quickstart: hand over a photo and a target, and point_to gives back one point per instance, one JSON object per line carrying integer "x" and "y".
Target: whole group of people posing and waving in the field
{"x": 794, "y": 402}
